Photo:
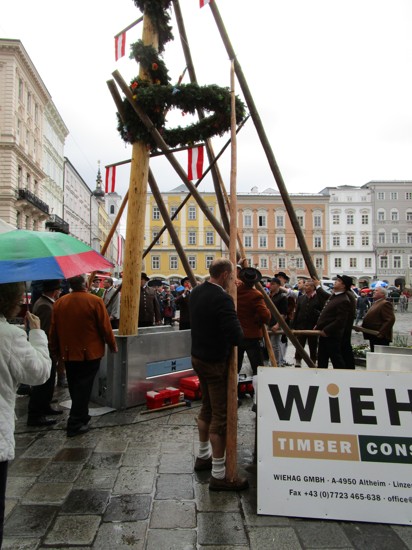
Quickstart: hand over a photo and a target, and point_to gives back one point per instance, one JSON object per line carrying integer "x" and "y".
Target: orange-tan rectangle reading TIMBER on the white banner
{"x": 315, "y": 445}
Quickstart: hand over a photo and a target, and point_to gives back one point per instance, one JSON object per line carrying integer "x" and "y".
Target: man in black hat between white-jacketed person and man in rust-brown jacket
{"x": 41, "y": 396}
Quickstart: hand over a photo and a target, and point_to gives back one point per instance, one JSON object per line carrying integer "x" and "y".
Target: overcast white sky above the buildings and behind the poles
{"x": 331, "y": 79}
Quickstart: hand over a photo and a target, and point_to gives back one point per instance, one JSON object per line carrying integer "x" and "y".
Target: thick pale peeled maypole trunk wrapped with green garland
{"x": 130, "y": 296}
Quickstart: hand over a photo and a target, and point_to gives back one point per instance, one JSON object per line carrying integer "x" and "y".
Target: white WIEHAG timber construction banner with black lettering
{"x": 335, "y": 444}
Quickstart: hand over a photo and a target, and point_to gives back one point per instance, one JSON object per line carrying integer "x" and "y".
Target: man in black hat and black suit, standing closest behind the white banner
{"x": 333, "y": 322}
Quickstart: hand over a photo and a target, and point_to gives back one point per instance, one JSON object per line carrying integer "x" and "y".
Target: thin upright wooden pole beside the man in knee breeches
{"x": 231, "y": 431}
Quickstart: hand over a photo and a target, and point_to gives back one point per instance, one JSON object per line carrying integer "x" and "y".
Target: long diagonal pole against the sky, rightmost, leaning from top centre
{"x": 265, "y": 142}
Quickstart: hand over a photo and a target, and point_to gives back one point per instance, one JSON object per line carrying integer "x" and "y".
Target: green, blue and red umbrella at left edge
{"x": 34, "y": 255}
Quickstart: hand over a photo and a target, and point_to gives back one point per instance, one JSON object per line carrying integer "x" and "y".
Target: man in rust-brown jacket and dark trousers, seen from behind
{"x": 79, "y": 330}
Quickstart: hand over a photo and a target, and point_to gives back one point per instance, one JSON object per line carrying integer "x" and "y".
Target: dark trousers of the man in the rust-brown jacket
{"x": 80, "y": 378}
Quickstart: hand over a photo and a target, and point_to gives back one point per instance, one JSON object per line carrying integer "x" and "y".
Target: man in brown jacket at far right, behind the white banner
{"x": 380, "y": 317}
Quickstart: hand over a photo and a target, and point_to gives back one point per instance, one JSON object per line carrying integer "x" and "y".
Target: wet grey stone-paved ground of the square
{"x": 129, "y": 483}
